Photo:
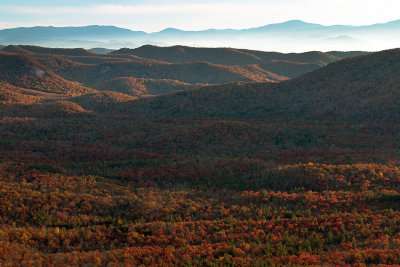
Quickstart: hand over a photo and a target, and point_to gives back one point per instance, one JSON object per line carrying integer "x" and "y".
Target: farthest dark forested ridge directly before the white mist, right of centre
{"x": 287, "y": 65}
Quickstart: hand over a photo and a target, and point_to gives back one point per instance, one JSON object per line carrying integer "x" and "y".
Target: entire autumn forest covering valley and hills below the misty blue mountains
{"x": 219, "y": 169}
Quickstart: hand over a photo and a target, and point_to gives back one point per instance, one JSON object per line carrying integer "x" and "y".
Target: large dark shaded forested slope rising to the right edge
{"x": 364, "y": 88}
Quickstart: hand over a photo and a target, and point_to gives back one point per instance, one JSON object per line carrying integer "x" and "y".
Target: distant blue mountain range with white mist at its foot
{"x": 288, "y": 36}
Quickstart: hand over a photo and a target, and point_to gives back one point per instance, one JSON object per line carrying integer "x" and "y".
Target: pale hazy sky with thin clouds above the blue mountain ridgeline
{"x": 155, "y": 15}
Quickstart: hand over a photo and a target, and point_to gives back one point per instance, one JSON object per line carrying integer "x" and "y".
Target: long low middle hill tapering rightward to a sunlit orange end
{"x": 192, "y": 73}
